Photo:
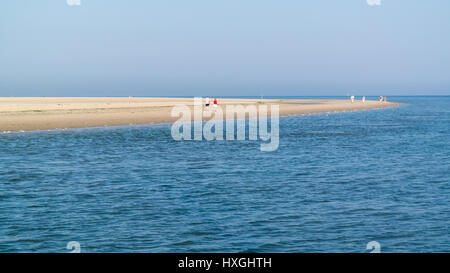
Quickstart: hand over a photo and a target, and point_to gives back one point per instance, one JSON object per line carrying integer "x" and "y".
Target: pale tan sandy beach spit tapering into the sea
{"x": 43, "y": 113}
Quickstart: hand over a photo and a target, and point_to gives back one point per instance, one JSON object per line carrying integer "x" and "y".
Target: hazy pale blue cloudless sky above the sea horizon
{"x": 224, "y": 47}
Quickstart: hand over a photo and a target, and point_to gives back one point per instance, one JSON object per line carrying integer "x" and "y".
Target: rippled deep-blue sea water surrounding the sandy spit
{"x": 337, "y": 182}
